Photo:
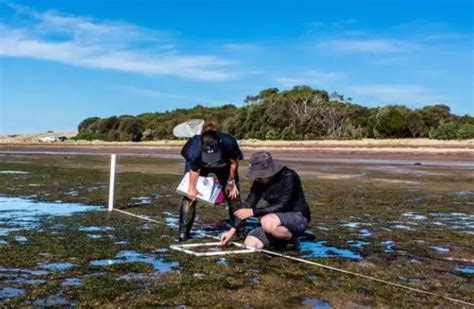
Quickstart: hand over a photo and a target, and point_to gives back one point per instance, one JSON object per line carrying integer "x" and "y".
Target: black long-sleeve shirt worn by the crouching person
{"x": 284, "y": 193}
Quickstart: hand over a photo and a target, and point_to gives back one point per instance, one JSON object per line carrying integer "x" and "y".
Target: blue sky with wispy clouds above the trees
{"x": 63, "y": 61}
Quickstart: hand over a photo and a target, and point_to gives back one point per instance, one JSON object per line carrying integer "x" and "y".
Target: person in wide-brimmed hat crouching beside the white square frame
{"x": 287, "y": 214}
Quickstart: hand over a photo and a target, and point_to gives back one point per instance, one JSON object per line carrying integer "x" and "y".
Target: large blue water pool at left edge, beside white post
{"x": 20, "y": 213}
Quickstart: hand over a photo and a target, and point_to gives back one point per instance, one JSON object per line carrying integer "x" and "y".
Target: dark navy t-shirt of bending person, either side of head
{"x": 192, "y": 151}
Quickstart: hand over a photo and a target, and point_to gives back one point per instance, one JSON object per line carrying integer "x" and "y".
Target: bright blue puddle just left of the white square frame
{"x": 122, "y": 257}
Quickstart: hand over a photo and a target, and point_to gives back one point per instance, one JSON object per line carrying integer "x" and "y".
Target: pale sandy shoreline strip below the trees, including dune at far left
{"x": 403, "y": 150}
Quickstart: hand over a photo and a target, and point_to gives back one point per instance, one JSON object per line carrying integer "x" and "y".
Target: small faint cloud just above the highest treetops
{"x": 310, "y": 77}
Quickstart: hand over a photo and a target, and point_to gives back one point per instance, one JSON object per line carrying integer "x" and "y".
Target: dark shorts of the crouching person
{"x": 295, "y": 222}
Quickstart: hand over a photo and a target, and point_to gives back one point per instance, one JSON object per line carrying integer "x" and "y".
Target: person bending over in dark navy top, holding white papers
{"x": 215, "y": 153}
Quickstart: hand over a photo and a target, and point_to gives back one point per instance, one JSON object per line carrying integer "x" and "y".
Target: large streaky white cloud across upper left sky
{"x": 104, "y": 45}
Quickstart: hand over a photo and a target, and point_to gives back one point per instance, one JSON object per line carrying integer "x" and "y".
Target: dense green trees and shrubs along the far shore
{"x": 301, "y": 113}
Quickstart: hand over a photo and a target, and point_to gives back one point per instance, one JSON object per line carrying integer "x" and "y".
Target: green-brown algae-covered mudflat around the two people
{"x": 342, "y": 207}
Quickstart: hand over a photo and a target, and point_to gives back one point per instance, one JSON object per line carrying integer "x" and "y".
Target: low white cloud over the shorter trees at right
{"x": 406, "y": 94}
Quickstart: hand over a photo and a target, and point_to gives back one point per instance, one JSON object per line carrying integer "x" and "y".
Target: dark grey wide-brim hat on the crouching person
{"x": 262, "y": 165}
